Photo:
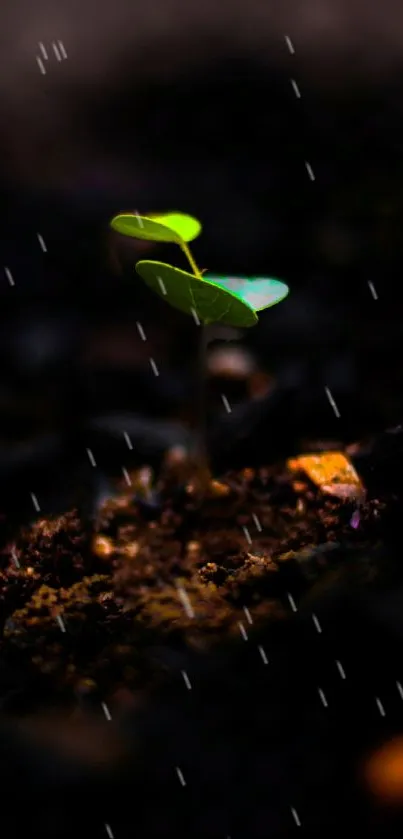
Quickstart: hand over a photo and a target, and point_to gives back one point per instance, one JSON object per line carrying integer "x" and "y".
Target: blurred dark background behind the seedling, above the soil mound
{"x": 214, "y": 111}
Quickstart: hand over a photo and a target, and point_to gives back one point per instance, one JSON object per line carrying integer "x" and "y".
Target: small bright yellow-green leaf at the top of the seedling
{"x": 164, "y": 227}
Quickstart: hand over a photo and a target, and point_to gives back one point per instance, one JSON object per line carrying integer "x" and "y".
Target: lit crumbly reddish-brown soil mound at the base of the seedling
{"x": 83, "y": 603}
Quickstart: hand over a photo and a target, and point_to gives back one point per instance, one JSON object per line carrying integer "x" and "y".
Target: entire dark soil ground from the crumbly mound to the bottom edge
{"x": 229, "y": 638}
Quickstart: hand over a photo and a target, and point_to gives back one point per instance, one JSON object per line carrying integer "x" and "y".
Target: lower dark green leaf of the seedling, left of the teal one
{"x": 205, "y": 300}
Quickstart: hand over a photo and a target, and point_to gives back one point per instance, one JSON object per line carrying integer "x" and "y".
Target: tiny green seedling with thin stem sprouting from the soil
{"x": 233, "y": 301}
